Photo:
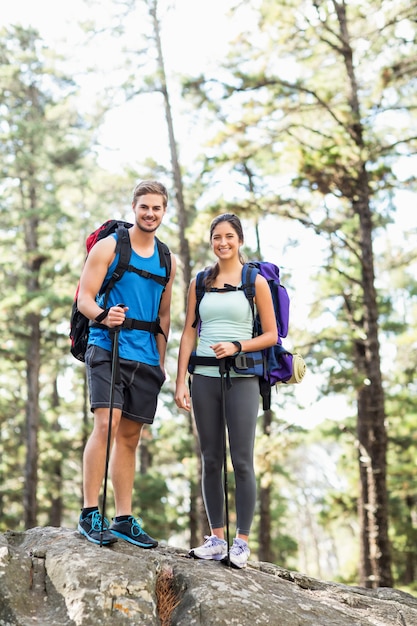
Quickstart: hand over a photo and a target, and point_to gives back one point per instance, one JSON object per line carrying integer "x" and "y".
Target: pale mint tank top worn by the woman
{"x": 225, "y": 316}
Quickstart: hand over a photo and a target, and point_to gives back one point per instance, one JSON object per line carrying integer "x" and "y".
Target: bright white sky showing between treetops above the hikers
{"x": 194, "y": 35}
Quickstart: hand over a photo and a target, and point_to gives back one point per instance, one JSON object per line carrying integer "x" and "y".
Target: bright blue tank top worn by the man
{"x": 142, "y": 296}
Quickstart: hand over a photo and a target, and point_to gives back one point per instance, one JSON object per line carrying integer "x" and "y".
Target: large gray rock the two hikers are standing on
{"x": 54, "y": 577}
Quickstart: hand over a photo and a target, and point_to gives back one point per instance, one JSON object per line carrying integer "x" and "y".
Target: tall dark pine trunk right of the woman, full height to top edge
{"x": 375, "y": 566}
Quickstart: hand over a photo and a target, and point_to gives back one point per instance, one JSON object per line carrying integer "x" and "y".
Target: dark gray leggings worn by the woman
{"x": 242, "y": 405}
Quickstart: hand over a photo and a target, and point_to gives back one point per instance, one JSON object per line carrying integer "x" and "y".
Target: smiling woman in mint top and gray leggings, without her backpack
{"x": 226, "y": 330}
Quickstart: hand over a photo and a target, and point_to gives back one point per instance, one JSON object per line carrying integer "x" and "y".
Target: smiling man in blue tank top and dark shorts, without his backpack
{"x": 141, "y": 364}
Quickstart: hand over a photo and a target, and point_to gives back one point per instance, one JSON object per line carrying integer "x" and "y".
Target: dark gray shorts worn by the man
{"x": 136, "y": 394}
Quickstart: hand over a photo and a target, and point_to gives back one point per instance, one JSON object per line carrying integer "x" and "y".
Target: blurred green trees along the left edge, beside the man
{"x": 40, "y": 157}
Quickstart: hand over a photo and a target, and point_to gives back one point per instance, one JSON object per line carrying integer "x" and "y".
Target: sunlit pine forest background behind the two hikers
{"x": 300, "y": 116}
